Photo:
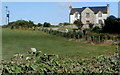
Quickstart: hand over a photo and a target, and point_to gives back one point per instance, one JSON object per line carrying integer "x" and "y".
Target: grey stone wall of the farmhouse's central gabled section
{"x": 84, "y": 18}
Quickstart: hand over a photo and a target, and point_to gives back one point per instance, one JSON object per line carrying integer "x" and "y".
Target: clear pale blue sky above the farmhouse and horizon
{"x": 52, "y": 12}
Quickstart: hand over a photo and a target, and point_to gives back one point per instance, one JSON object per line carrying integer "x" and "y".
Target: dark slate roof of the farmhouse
{"x": 103, "y": 9}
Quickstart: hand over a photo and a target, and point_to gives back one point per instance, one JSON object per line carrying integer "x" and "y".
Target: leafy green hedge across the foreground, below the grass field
{"x": 38, "y": 62}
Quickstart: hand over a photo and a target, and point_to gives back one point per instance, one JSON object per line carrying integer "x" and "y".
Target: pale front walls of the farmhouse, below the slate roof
{"x": 94, "y": 18}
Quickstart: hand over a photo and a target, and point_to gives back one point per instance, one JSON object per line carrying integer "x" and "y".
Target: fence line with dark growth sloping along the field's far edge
{"x": 80, "y": 36}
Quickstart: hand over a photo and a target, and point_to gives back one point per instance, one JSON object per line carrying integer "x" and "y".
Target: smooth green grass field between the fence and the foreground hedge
{"x": 20, "y": 41}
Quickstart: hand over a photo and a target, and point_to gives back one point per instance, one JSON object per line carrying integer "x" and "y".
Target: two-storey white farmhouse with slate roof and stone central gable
{"x": 94, "y": 15}
